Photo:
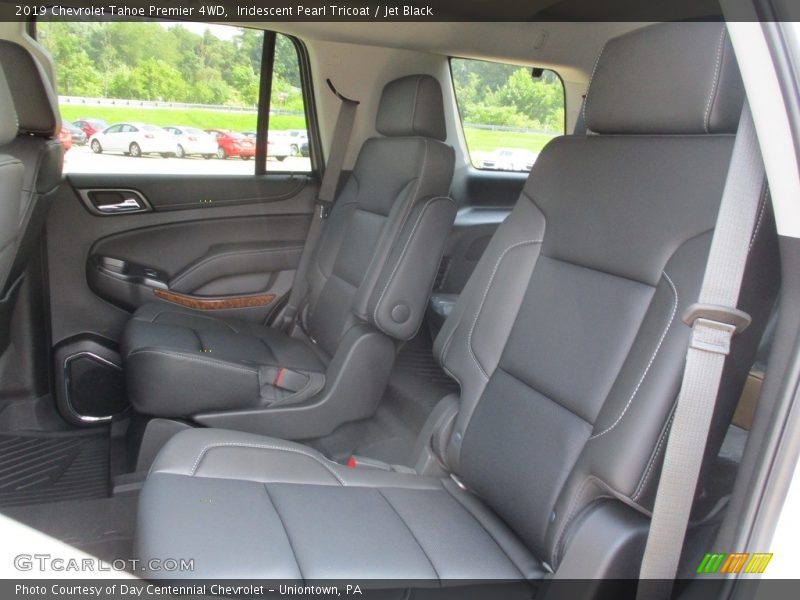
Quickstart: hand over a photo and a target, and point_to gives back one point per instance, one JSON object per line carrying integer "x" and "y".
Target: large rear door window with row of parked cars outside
{"x": 162, "y": 97}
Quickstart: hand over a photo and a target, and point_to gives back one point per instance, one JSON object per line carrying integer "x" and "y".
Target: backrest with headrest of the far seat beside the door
{"x": 381, "y": 246}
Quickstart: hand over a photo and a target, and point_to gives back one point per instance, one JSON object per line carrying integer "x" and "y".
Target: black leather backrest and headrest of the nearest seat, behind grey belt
{"x": 567, "y": 341}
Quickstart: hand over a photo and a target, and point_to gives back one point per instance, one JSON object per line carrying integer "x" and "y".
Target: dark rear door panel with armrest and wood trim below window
{"x": 221, "y": 238}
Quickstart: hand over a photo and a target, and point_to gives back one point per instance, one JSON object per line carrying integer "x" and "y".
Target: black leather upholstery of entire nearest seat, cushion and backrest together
{"x": 568, "y": 346}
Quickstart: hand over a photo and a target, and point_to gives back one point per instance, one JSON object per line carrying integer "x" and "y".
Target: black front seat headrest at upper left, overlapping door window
{"x": 33, "y": 95}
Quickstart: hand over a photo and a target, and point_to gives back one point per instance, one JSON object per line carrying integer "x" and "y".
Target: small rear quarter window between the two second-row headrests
{"x": 508, "y": 112}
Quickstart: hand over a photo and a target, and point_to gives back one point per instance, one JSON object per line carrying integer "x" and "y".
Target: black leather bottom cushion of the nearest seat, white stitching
{"x": 276, "y": 509}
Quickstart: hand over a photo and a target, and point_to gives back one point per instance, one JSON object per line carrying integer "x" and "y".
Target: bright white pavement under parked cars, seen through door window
{"x": 80, "y": 159}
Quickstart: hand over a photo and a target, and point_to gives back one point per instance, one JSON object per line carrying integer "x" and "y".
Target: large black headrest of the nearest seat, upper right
{"x": 669, "y": 78}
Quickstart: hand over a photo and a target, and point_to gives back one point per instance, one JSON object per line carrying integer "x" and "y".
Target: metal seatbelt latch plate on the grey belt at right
{"x": 713, "y": 326}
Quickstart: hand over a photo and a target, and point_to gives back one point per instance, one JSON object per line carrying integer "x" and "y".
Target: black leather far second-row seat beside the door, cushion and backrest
{"x": 375, "y": 264}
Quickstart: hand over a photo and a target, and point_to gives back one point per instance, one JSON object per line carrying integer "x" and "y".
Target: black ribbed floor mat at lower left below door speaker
{"x": 37, "y": 467}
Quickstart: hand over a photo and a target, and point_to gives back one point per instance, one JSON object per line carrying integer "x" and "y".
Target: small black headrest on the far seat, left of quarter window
{"x": 412, "y": 106}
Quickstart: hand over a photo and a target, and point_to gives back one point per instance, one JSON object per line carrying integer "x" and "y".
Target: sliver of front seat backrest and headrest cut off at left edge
{"x": 11, "y": 176}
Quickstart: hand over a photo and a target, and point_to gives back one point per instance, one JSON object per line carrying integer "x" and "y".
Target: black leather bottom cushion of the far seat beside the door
{"x": 180, "y": 362}
